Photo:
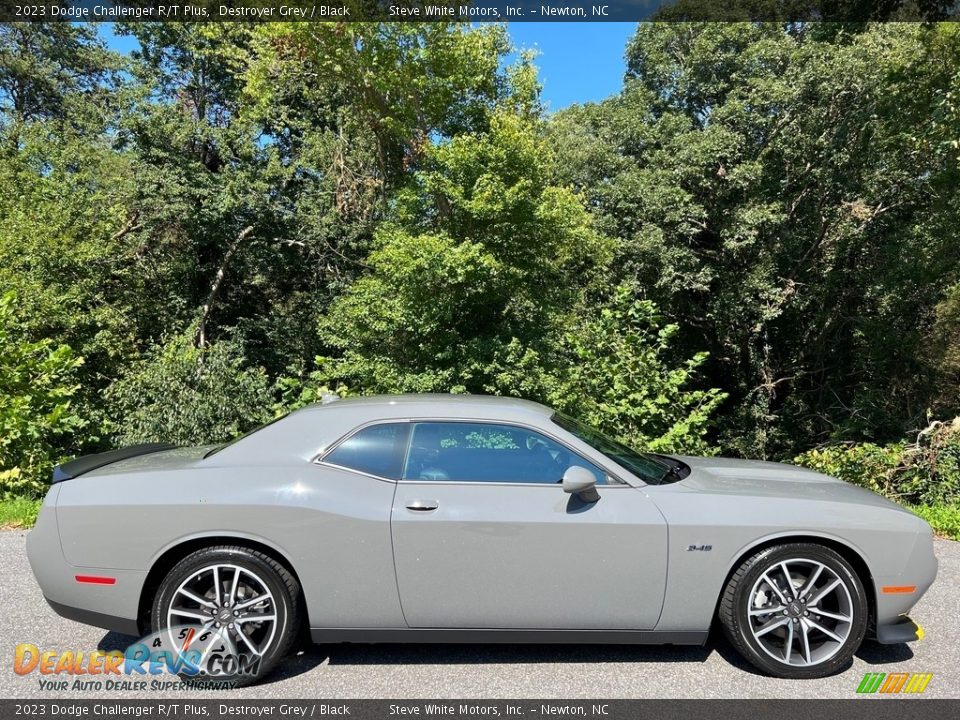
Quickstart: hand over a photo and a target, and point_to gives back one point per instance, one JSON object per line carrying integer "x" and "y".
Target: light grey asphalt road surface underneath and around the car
{"x": 505, "y": 671}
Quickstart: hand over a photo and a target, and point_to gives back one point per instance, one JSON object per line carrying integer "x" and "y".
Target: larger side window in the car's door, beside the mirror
{"x": 485, "y": 452}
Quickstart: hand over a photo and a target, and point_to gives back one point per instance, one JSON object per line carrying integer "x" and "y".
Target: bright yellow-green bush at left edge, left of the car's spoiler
{"x": 36, "y": 419}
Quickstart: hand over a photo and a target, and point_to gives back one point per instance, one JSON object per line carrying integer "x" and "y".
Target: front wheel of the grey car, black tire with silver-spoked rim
{"x": 739, "y": 599}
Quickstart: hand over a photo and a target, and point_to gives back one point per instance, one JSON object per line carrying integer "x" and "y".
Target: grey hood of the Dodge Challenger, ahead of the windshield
{"x": 758, "y": 478}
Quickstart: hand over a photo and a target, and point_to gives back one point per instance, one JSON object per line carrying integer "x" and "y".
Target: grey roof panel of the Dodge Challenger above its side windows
{"x": 440, "y": 404}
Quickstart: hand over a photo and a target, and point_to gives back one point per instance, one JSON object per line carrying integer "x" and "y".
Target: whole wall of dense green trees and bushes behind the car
{"x": 752, "y": 248}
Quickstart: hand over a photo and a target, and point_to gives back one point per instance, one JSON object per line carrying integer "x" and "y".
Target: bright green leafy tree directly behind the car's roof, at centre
{"x": 484, "y": 263}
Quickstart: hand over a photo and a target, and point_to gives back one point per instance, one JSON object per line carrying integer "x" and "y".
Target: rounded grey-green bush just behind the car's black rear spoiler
{"x": 187, "y": 396}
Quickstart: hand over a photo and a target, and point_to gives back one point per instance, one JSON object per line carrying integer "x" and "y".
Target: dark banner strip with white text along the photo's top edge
{"x": 477, "y": 10}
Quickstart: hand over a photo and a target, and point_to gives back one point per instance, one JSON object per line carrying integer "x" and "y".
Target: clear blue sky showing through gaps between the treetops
{"x": 579, "y": 62}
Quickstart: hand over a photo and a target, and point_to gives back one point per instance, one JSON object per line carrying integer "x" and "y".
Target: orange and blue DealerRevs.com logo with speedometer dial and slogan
{"x": 196, "y": 656}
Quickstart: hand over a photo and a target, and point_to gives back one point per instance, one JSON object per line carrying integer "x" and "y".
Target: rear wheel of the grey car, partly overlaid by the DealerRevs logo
{"x": 234, "y": 609}
